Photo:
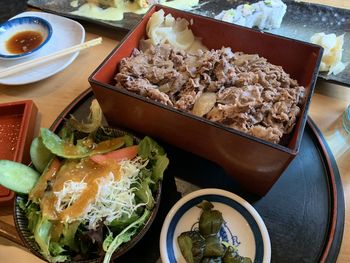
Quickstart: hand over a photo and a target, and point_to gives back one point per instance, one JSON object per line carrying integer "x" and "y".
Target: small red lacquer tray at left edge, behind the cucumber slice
{"x": 17, "y": 125}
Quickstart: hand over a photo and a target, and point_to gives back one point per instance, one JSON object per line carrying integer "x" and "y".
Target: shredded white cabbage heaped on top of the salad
{"x": 114, "y": 198}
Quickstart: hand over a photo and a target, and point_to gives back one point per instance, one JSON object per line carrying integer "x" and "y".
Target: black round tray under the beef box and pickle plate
{"x": 303, "y": 212}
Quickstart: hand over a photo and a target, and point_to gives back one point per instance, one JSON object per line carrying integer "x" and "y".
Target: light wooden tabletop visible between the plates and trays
{"x": 52, "y": 95}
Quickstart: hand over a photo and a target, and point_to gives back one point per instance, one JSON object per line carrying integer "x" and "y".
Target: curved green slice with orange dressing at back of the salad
{"x": 82, "y": 149}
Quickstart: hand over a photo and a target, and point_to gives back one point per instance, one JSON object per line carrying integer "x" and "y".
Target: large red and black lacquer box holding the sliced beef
{"x": 254, "y": 163}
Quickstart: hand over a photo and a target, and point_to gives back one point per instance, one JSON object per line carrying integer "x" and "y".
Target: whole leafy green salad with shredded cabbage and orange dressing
{"x": 96, "y": 188}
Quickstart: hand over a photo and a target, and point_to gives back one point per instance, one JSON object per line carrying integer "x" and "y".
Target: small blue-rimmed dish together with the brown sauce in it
{"x": 23, "y": 36}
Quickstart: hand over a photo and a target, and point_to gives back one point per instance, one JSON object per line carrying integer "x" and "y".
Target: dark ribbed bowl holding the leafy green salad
{"x": 21, "y": 221}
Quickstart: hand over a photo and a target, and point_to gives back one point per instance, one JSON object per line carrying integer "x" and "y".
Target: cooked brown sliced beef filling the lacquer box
{"x": 252, "y": 95}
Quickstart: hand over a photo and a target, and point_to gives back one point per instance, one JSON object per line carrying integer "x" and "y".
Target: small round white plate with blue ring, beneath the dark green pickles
{"x": 243, "y": 225}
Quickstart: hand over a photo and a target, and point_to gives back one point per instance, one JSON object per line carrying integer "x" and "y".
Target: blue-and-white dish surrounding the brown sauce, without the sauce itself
{"x": 17, "y": 25}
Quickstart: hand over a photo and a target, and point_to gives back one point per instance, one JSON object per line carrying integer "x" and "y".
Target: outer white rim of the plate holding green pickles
{"x": 240, "y": 200}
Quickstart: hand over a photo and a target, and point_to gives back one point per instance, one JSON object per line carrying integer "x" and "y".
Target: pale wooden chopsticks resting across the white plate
{"x": 31, "y": 63}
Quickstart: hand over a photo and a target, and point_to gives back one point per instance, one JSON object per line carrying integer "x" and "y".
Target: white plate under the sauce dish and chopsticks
{"x": 66, "y": 33}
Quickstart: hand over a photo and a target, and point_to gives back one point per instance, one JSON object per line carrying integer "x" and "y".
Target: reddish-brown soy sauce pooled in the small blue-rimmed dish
{"x": 23, "y": 42}
